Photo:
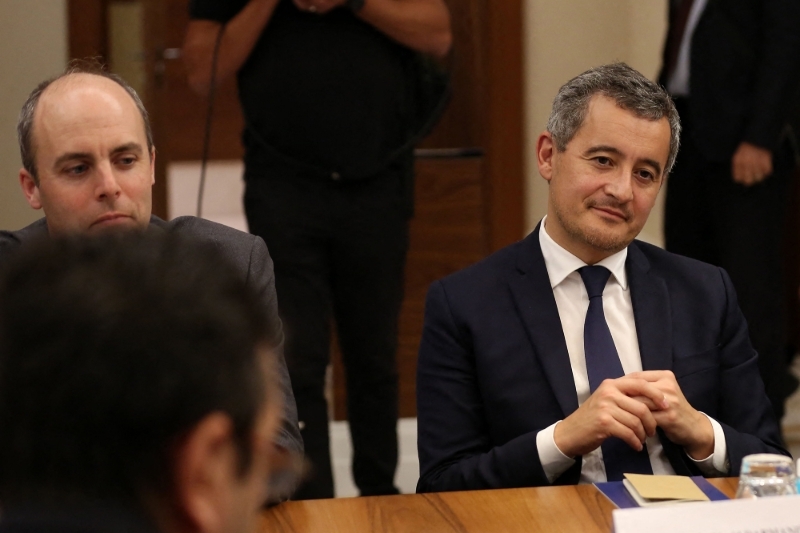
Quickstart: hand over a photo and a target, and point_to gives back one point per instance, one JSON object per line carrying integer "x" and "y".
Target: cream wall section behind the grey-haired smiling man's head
{"x": 566, "y": 37}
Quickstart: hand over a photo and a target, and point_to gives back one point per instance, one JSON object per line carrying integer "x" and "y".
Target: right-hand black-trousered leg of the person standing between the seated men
{"x": 368, "y": 263}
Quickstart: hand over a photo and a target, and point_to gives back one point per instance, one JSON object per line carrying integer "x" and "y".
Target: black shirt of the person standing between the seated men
{"x": 328, "y": 90}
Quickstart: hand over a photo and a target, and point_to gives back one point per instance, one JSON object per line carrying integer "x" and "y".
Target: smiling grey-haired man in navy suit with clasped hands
{"x": 578, "y": 353}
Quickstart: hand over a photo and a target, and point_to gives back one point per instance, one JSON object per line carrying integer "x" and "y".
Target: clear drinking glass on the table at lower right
{"x": 766, "y": 474}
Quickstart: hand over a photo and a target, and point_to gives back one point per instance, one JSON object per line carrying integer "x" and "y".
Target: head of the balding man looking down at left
{"x": 87, "y": 153}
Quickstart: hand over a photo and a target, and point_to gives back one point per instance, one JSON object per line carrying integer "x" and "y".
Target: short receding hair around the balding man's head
{"x": 27, "y": 150}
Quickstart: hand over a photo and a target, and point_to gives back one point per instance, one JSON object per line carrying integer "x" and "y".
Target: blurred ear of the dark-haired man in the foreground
{"x": 205, "y": 468}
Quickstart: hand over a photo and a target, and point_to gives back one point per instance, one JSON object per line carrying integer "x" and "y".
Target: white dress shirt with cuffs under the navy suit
{"x": 573, "y": 302}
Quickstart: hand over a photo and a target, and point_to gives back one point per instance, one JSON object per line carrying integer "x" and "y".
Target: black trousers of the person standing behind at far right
{"x": 711, "y": 218}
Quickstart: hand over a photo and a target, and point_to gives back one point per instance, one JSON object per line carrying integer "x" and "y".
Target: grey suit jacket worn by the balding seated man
{"x": 249, "y": 256}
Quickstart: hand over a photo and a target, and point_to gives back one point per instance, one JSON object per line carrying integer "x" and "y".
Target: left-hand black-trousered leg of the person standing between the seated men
{"x": 290, "y": 213}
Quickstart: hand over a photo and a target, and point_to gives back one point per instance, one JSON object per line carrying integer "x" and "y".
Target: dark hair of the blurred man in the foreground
{"x": 111, "y": 349}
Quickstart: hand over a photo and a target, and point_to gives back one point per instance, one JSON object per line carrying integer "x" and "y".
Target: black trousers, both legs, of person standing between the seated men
{"x": 339, "y": 249}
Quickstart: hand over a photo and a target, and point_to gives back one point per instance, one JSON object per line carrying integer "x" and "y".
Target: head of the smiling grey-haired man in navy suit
{"x": 611, "y": 140}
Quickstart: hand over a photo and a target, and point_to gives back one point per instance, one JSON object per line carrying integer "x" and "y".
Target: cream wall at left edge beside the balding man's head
{"x": 33, "y": 47}
